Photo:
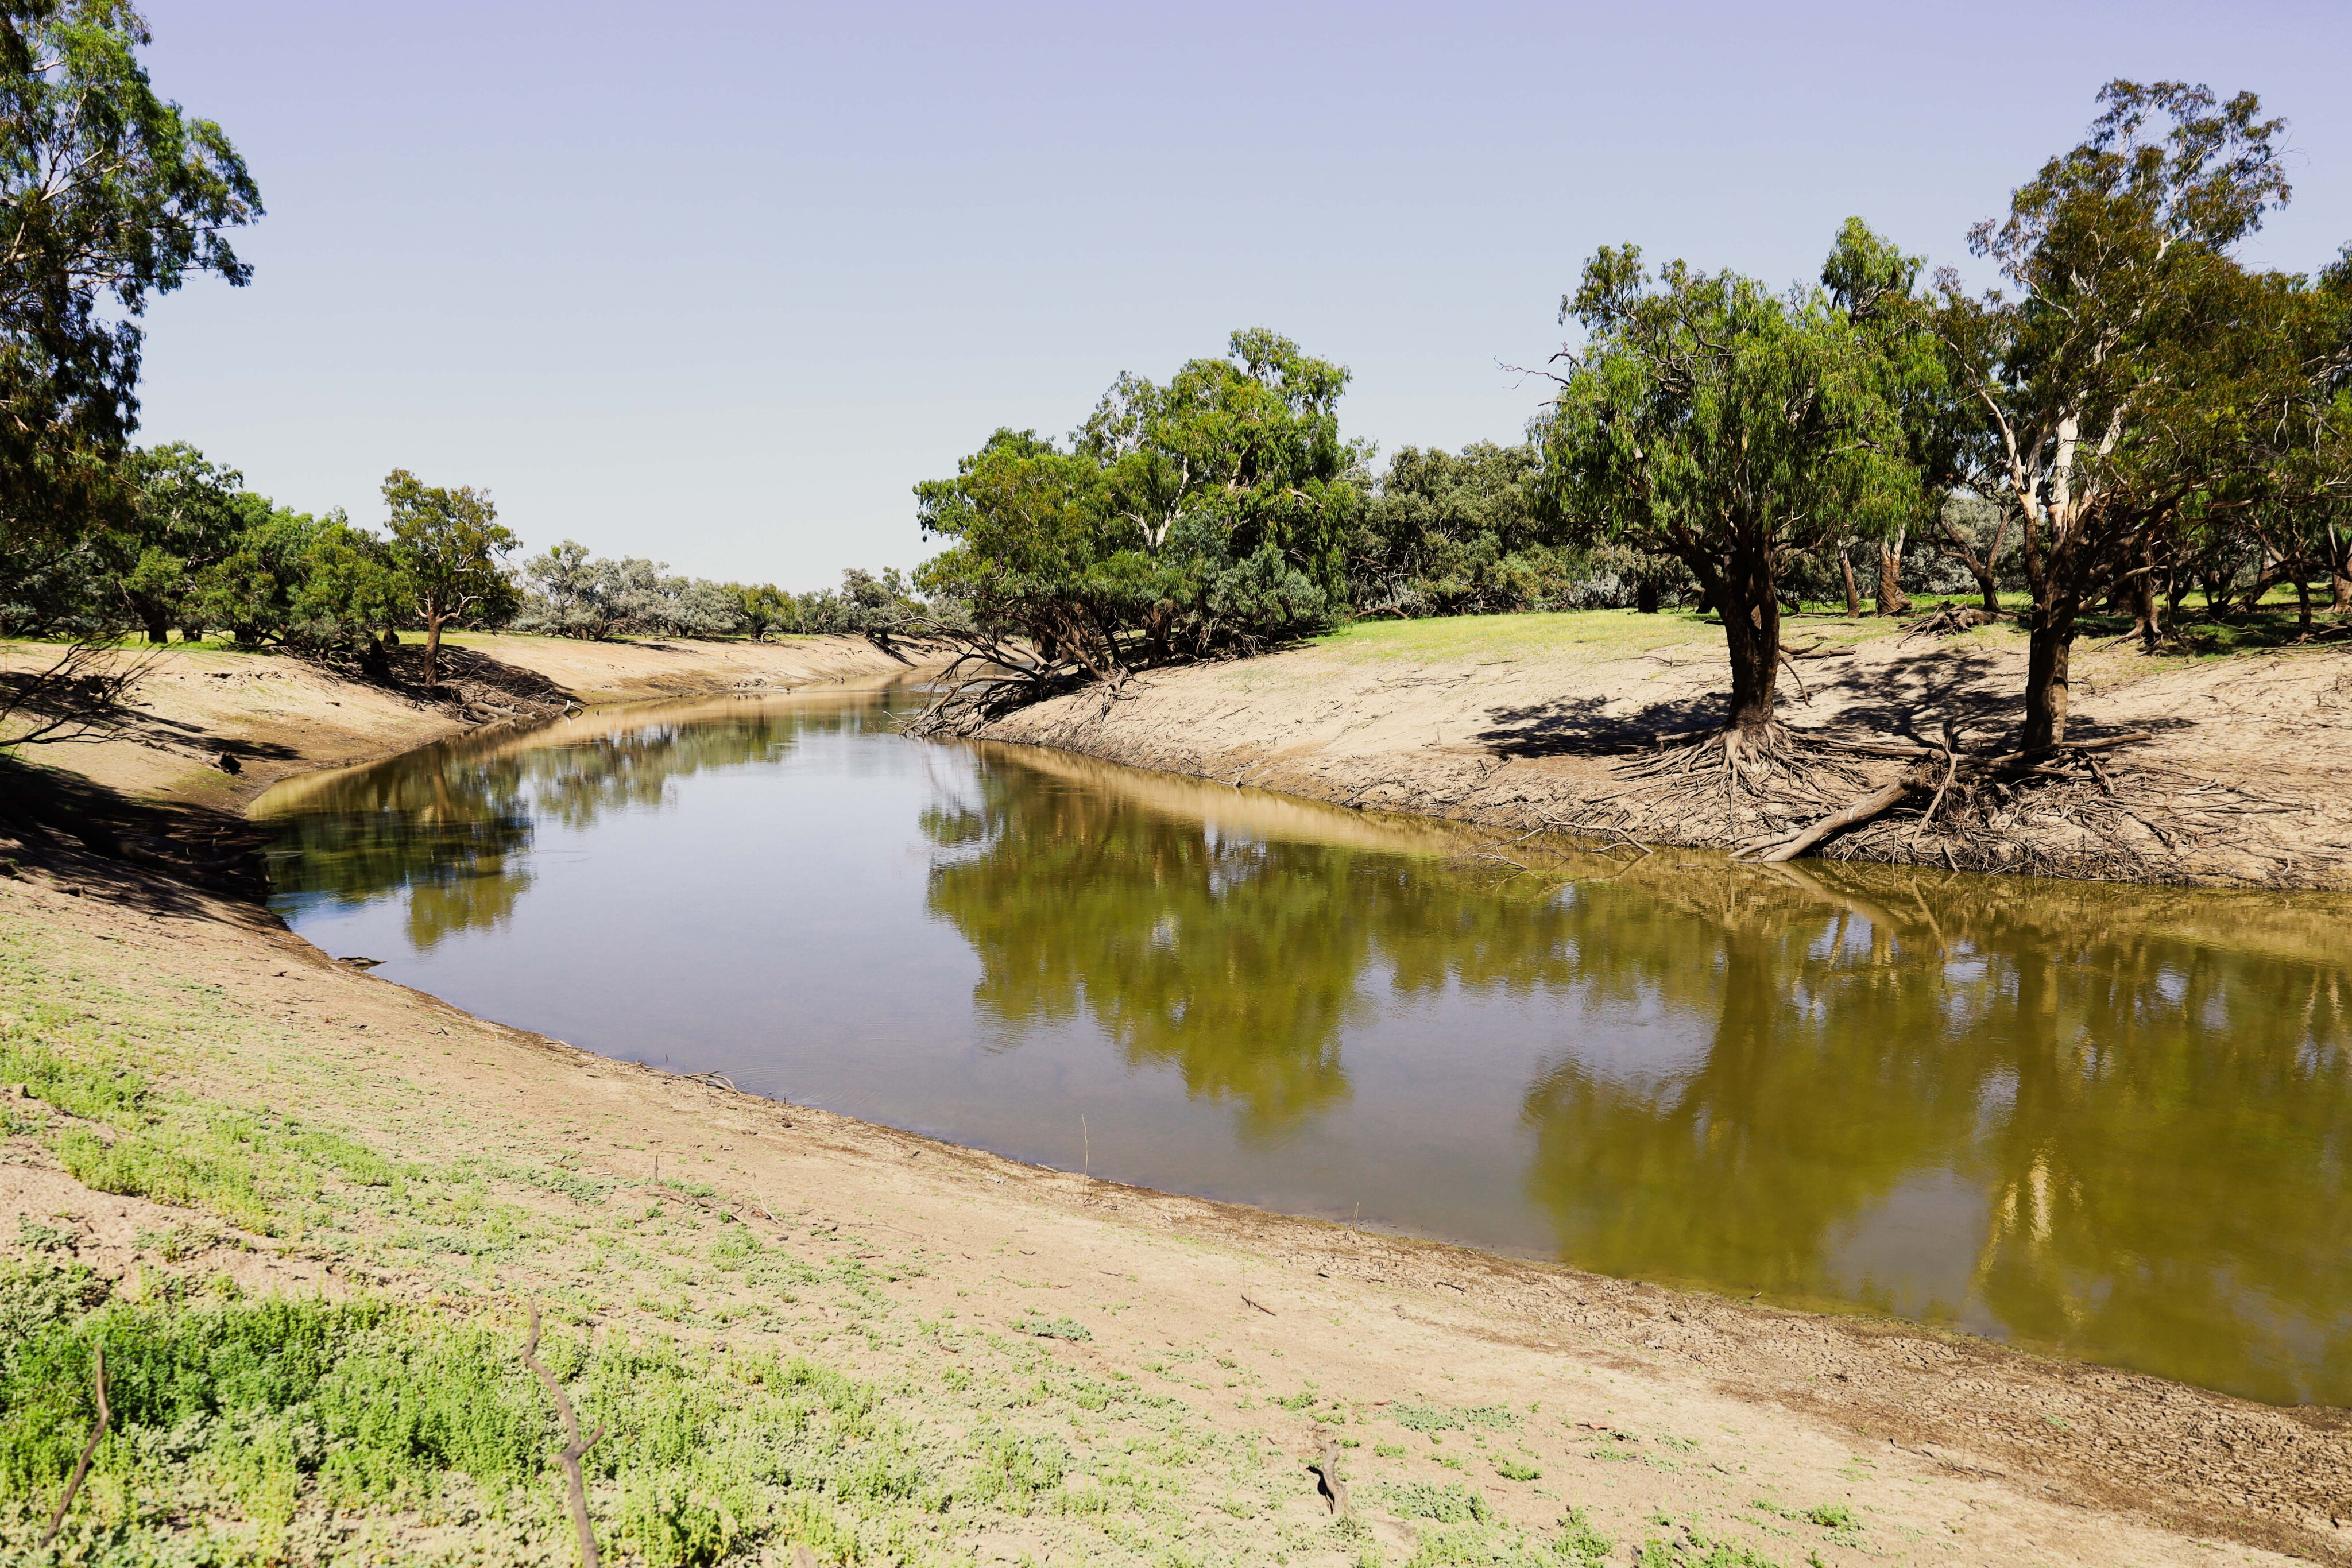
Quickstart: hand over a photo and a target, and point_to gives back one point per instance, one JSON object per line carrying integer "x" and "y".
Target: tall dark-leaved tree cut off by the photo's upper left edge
{"x": 109, "y": 196}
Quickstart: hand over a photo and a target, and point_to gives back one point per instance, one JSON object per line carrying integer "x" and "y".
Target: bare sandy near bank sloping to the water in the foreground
{"x": 622, "y": 1198}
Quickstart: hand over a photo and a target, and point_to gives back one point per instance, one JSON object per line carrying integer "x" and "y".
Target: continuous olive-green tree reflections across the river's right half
{"x": 2123, "y": 1113}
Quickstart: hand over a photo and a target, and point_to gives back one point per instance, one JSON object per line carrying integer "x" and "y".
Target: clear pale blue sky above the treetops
{"x": 719, "y": 283}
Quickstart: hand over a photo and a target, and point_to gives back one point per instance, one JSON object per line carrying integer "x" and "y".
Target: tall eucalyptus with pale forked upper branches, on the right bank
{"x": 2102, "y": 389}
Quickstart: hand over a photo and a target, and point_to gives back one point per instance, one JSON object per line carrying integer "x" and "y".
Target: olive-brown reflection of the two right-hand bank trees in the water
{"x": 2146, "y": 1092}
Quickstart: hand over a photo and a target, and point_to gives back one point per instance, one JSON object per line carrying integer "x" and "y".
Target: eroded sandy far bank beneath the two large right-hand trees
{"x": 1537, "y": 723}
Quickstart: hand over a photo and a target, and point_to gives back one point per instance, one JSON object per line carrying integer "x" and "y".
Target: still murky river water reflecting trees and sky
{"x": 2113, "y": 1123}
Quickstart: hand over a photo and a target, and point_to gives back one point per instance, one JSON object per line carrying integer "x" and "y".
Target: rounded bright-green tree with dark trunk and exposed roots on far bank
{"x": 1732, "y": 429}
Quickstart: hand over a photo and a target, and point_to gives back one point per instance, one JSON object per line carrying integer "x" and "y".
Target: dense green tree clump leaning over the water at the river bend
{"x": 1187, "y": 518}
